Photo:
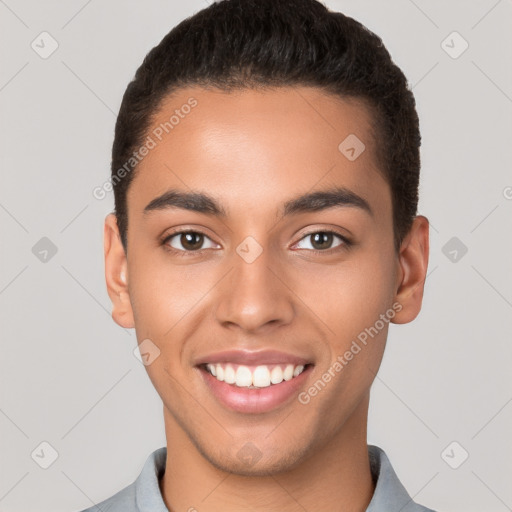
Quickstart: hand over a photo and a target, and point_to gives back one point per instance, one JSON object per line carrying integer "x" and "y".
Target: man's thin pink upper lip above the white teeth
{"x": 252, "y": 358}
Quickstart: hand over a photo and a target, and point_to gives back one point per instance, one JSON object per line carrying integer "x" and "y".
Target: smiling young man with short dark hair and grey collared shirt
{"x": 265, "y": 170}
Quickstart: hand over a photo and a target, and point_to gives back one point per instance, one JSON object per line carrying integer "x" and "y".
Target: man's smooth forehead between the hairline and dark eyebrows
{"x": 258, "y": 147}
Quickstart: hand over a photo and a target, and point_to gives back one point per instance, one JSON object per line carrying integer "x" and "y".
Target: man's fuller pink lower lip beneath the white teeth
{"x": 247, "y": 400}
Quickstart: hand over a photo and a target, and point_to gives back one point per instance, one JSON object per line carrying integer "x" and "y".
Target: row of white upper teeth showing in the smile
{"x": 260, "y": 377}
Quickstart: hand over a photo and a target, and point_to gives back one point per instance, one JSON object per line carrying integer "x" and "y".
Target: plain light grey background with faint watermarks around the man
{"x": 68, "y": 373}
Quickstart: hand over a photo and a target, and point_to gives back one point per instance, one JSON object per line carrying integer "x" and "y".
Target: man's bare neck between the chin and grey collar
{"x": 336, "y": 477}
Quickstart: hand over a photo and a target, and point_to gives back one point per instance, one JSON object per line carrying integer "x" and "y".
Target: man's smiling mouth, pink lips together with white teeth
{"x": 245, "y": 383}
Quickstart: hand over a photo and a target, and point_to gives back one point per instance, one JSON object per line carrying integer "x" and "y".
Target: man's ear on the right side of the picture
{"x": 412, "y": 272}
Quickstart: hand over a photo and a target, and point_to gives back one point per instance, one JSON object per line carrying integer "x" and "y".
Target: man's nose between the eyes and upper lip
{"x": 255, "y": 297}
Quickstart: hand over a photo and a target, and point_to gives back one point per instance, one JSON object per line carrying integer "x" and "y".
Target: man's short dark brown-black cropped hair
{"x": 239, "y": 44}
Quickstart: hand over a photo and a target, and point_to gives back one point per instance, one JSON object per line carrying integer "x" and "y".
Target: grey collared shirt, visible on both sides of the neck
{"x": 144, "y": 495}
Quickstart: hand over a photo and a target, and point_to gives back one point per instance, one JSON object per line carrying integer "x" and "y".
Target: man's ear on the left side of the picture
{"x": 116, "y": 274}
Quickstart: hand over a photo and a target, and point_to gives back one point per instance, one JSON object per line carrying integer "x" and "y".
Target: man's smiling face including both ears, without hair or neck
{"x": 284, "y": 282}
